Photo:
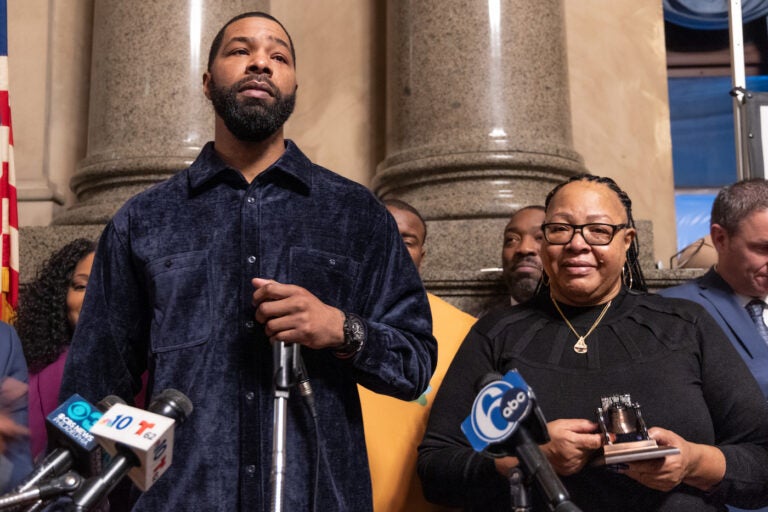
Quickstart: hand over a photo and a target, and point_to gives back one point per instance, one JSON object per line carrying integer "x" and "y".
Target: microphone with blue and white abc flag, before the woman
{"x": 506, "y": 420}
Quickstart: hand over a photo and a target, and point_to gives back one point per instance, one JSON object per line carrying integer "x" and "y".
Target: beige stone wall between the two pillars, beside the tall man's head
{"x": 340, "y": 50}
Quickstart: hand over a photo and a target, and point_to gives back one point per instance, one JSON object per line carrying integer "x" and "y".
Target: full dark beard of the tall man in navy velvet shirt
{"x": 252, "y": 119}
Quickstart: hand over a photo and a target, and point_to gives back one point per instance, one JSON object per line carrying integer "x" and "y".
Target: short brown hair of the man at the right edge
{"x": 736, "y": 202}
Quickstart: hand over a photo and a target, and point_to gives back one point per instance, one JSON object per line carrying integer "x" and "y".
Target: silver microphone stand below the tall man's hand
{"x": 287, "y": 357}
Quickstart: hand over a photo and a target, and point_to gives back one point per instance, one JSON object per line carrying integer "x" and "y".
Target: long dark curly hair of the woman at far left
{"x": 41, "y": 320}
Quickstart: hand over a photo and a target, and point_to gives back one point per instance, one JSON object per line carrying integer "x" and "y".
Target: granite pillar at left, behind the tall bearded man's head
{"x": 148, "y": 117}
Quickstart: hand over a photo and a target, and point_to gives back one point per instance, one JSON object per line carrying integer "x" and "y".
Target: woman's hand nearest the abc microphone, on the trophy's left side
{"x": 572, "y": 444}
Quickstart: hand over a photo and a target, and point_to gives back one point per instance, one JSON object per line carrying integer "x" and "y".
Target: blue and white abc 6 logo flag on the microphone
{"x": 497, "y": 411}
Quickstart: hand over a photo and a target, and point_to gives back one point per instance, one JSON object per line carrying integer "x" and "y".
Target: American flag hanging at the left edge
{"x": 9, "y": 219}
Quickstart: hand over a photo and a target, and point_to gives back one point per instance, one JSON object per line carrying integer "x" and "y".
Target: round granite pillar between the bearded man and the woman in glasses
{"x": 478, "y": 124}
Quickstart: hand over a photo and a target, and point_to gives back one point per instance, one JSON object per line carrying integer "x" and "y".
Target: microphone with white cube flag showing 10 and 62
{"x": 141, "y": 443}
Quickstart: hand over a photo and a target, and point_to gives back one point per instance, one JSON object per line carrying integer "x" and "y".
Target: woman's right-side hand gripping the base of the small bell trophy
{"x": 697, "y": 465}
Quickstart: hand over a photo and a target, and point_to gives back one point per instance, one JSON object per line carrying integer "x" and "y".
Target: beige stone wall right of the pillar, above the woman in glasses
{"x": 619, "y": 104}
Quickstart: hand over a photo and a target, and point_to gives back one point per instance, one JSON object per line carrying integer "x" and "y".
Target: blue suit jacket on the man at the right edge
{"x": 712, "y": 292}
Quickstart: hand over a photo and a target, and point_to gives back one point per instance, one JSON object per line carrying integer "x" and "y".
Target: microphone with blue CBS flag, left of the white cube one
{"x": 68, "y": 428}
